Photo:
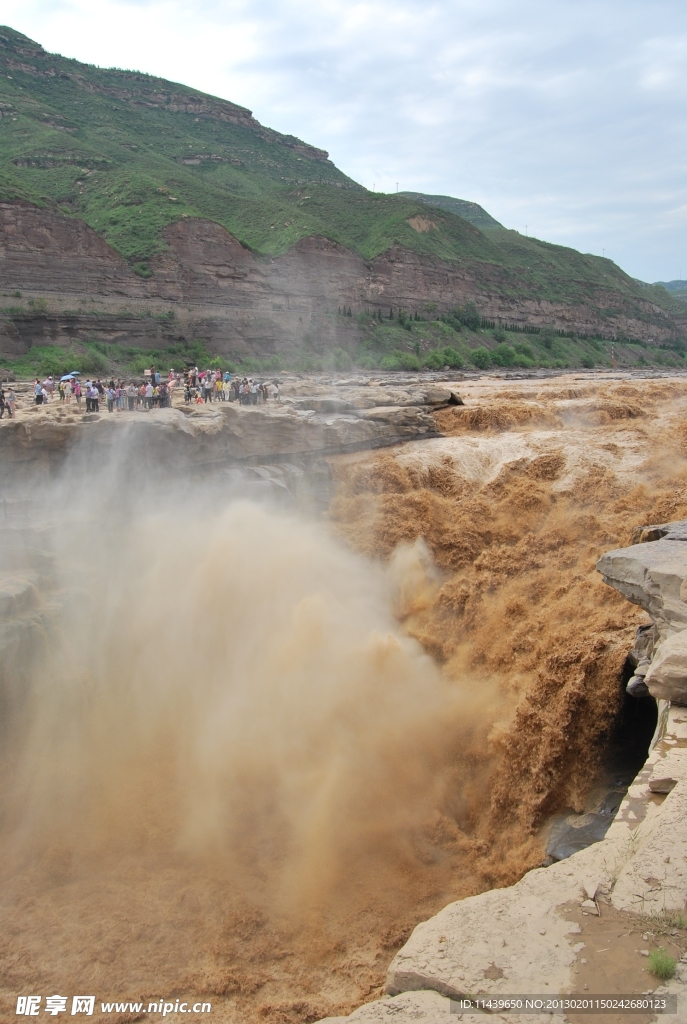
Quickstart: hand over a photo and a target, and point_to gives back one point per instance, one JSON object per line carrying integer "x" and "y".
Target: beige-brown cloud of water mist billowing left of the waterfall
{"x": 229, "y": 712}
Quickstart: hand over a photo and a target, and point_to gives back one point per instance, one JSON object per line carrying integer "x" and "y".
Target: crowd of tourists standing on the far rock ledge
{"x": 199, "y": 388}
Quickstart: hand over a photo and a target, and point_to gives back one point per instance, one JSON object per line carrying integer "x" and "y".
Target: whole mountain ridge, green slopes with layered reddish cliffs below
{"x": 110, "y": 165}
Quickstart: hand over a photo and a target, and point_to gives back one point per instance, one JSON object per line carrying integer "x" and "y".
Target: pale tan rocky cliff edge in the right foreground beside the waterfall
{"x": 587, "y": 924}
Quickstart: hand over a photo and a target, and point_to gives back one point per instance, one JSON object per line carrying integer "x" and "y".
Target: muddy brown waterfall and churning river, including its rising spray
{"x": 267, "y": 748}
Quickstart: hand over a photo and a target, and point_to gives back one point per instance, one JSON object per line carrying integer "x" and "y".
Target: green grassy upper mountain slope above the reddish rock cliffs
{"x": 131, "y": 154}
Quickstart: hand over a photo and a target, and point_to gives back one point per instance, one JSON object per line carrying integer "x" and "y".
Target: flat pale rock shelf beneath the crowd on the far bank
{"x": 310, "y": 421}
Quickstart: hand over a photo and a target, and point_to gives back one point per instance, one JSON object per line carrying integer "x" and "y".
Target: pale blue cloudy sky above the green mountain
{"x": 566, "y": 119}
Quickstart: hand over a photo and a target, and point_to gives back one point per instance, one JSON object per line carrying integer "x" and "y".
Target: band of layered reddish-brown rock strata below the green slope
{"x": 244, "y": 304}
